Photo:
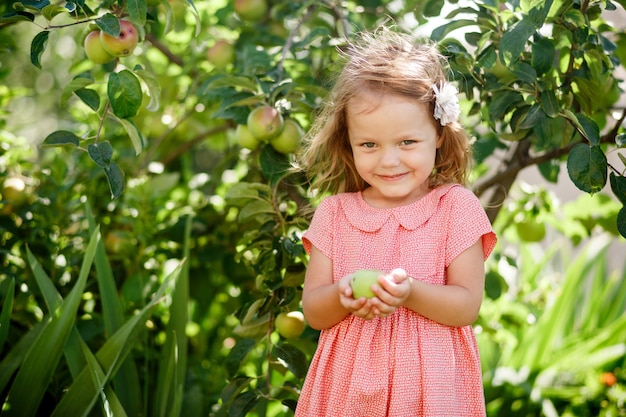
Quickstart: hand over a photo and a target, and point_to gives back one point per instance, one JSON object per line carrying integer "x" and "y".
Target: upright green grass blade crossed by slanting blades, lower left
{"x": 126, "y": 381}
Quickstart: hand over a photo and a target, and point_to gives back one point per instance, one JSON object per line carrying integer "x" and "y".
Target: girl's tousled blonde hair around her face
{"x": 385, "y": 62}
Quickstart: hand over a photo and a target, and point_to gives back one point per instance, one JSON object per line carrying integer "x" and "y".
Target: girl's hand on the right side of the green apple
{"x": 394, "y": 290}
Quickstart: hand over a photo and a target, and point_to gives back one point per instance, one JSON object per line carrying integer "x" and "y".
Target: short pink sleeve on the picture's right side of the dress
{"x": 467, "y": 223}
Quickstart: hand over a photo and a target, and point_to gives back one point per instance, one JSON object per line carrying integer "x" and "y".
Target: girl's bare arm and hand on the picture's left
{"x": 326, "y": 303}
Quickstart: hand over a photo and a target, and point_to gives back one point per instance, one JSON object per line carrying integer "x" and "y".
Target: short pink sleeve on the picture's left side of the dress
{"x": 319, "y": 233}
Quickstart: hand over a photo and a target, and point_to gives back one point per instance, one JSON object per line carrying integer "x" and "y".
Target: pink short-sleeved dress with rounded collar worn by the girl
{"x": 405, "y": 364}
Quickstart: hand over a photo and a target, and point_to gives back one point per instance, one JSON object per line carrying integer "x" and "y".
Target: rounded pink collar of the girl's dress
{"x": 370, "y": 219}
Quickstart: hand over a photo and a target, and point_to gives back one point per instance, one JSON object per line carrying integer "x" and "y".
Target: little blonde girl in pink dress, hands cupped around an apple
{"x": 389, "y": 147}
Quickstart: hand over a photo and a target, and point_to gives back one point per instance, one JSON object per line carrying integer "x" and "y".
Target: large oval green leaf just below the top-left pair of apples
{"x": 124, "y": 92}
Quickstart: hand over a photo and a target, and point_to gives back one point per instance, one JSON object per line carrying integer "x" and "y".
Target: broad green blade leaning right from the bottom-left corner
{"x": 36, "y": 371}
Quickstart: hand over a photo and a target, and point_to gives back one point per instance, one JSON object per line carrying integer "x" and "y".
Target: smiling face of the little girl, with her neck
{"x": 394, "y": 142}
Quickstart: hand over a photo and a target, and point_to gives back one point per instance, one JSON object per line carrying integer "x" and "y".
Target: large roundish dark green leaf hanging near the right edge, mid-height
{"x": 587, "y": 167}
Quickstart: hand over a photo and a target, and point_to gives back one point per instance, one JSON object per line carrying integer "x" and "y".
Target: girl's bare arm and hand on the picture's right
{"x": 455, "y": 304}
